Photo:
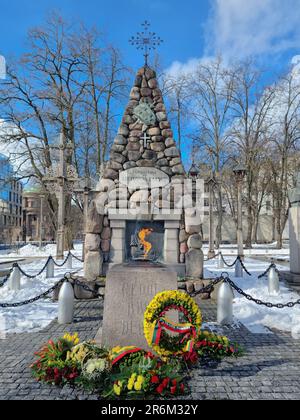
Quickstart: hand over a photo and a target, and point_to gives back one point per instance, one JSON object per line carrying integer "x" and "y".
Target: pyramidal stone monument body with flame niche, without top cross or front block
{"x": 144, "y": 182}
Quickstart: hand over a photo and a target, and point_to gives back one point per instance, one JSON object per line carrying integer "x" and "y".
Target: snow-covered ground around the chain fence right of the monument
{"x": 256, "y": 318}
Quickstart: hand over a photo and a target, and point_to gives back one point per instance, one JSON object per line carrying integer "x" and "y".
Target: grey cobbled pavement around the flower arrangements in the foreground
{"x": 270, "y": 368}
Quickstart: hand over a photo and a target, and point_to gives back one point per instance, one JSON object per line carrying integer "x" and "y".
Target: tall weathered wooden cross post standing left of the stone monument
{"x": 61, "y": 182}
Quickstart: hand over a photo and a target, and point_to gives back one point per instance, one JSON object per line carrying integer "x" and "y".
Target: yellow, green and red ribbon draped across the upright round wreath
{"x": 187, "y": 329}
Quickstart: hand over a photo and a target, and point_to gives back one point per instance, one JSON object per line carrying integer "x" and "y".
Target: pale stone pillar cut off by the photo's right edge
{"x": 294, "y": 224}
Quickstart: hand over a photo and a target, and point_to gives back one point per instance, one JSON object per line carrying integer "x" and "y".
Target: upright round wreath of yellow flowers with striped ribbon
{"x": 156, "y": 323}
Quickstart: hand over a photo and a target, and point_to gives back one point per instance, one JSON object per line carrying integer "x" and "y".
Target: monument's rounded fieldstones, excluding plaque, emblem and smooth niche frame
{"x": 128, "y": 152}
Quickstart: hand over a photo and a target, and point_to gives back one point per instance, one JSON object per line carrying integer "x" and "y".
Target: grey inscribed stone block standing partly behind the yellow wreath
{"x": 129, "y": 290}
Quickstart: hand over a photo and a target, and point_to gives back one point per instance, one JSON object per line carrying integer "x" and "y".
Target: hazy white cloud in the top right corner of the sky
{"x": 241, "y": 28}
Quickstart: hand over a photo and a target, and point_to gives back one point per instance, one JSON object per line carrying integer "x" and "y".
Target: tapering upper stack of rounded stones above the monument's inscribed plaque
{"x": 127, "y": 151}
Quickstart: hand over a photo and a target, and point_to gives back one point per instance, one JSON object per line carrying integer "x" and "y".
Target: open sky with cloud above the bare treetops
{"x": 269, "y": 30}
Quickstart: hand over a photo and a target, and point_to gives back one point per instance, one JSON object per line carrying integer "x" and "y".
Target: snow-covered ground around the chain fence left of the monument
{"x": 35, "y": 316}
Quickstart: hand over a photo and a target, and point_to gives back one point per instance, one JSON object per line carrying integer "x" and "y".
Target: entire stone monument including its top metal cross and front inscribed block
{"x": 144, "y": 224}
